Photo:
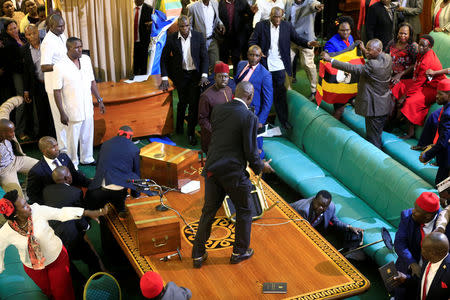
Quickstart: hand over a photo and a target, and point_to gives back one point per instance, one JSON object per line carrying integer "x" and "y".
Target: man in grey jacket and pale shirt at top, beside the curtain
{"x": 204, "y": 18}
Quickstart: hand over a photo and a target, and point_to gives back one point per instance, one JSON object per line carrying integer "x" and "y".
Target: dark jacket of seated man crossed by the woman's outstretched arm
{"x": 63, "y": 195}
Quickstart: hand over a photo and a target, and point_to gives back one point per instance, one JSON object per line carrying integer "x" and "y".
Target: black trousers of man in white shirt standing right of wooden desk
{"x": 188, "y": 95}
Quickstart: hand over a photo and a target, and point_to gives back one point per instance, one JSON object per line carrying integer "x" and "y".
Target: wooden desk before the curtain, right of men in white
{"x": 140, "y": 105}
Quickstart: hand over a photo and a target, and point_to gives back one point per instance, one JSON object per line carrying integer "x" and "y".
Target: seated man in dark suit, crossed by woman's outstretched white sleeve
{"x": 72, "y": 233}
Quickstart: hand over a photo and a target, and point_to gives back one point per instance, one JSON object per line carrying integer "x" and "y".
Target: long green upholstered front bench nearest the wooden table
{"x": 369, "y": 188}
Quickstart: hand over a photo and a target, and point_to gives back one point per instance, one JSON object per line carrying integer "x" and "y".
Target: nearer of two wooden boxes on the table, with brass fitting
{"x": 153, "y": 231}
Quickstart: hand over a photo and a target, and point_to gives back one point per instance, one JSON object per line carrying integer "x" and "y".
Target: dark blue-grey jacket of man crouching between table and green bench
{"x": 303, "y": 207}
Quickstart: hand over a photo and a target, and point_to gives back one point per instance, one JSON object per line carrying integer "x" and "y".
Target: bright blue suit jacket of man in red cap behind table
{"x": 263, "y": 96}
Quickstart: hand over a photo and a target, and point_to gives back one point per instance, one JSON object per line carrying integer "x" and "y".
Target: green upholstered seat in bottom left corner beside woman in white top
{"x": 14, "y": 282}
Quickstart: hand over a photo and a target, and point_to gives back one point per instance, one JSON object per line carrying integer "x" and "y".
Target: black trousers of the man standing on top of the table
{"x": 215, "y": 191}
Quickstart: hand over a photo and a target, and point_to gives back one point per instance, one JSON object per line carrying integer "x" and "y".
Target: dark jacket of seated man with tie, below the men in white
{"x": 40, "y": 176}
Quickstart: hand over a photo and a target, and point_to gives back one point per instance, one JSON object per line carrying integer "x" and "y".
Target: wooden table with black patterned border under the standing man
{"x": 293, "y": 252}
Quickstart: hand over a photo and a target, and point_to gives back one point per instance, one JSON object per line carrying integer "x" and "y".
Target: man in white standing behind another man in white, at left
{"x": 53, "y": 50}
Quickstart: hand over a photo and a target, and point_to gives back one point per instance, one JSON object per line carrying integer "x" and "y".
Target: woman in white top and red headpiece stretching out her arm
{"x": 42, "y": 253}
